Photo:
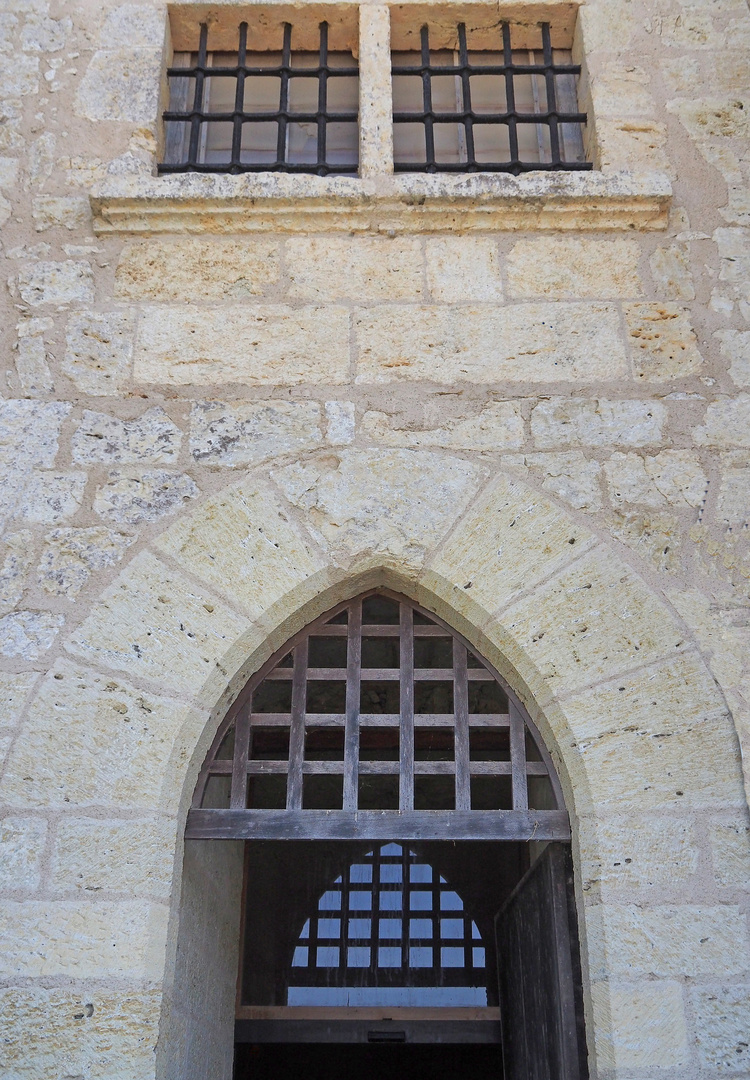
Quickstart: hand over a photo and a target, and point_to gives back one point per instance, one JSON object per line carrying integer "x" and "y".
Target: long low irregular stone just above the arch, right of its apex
{"x": 498, "y": 426}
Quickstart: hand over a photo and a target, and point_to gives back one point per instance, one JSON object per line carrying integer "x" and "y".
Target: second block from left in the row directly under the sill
{"x": 359, "y": 268}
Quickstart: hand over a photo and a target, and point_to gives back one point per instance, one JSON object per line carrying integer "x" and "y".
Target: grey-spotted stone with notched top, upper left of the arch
{"x": 150, "y": 438}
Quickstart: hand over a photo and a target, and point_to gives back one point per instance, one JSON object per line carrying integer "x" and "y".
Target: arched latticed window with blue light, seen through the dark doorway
{"x": 391, "y": 930}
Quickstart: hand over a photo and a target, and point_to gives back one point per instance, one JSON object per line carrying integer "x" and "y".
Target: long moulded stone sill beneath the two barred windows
{"x": 272, "y": 202}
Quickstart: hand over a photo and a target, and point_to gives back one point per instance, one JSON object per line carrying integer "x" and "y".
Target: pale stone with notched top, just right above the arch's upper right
{"x": 674, "y": 478}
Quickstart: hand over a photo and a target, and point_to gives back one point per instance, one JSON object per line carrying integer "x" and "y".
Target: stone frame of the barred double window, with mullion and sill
{"x": 612, "y": 196}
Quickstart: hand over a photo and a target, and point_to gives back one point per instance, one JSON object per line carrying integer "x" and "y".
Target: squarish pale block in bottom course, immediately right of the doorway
{"x": 645, "y": 1024}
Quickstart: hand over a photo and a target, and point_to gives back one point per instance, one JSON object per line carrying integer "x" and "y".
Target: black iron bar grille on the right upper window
{"x": 510, "y": 112}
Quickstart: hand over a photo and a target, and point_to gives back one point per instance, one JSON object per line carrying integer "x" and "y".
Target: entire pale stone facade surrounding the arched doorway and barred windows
{"x": 230, "y": 403}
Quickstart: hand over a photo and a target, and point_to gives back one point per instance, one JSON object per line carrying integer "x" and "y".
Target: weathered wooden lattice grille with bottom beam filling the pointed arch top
{"x": 379, "y": 721}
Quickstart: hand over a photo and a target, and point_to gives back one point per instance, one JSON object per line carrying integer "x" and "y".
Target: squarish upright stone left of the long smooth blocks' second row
{"x": 100, "y": 352}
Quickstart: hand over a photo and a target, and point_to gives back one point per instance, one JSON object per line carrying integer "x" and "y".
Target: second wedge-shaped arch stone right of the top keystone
{"x": 591, "y": 622}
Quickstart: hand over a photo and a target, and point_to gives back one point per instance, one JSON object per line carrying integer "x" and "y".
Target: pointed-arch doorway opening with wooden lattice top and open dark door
{"x": 407, "y": 869}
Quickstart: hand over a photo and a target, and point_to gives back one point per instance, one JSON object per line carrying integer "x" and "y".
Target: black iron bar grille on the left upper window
{"x": 292, "y": 112}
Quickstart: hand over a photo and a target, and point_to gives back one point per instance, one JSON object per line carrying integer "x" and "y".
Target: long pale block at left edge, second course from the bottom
{"x": 83, "y": 940}
